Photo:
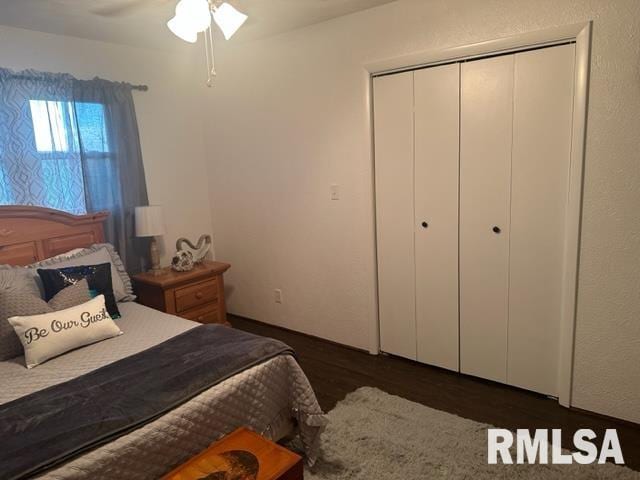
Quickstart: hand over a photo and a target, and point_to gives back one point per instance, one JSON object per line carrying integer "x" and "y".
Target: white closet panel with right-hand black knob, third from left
{"x": 485, "y": 169}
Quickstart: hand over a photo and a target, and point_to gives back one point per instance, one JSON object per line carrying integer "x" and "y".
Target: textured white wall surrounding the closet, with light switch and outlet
{"x": 287, "y": 118}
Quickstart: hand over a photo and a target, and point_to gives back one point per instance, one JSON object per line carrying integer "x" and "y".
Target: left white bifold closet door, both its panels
{"x": 416, "y": 119}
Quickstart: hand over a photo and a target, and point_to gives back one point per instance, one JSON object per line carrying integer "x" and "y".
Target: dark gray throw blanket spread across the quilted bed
{"x": 50, "y": 426}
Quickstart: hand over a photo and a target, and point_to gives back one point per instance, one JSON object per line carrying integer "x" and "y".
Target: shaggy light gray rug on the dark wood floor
{"x": 376, "y": 436}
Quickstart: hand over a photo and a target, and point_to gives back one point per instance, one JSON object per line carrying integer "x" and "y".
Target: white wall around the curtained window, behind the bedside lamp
{"x": 169, "y": 117}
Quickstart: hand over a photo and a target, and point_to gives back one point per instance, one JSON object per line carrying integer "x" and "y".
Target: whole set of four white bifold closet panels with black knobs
{"x": 471, "y": 174}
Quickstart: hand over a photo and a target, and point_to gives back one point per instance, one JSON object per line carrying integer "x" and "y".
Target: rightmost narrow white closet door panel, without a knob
{"x": 543, "y": 103}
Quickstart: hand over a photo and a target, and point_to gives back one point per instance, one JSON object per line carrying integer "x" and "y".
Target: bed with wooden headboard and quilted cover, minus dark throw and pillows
{"x": 273, "y": 398}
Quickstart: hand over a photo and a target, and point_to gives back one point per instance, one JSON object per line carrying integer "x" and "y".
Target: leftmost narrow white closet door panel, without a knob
{"x": 393, "y": 139}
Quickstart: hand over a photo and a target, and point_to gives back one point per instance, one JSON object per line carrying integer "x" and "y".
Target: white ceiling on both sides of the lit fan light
{"x": 143, "y": 22}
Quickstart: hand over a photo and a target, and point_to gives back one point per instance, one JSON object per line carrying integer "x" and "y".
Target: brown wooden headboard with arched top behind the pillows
{"x": 30, "y": 234}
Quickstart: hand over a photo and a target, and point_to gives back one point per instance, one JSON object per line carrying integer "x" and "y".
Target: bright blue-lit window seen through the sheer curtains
{"x": 68, "y": 137}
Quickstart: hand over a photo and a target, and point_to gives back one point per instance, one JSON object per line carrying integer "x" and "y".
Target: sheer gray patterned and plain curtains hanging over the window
{"x": 73, "y": 145}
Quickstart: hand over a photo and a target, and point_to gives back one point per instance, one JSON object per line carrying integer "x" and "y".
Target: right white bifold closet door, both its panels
{"x": 515, "y": 146}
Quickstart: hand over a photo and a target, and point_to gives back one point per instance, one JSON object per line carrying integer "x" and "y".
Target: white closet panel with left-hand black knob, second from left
{"x": 436, "y": 94}
